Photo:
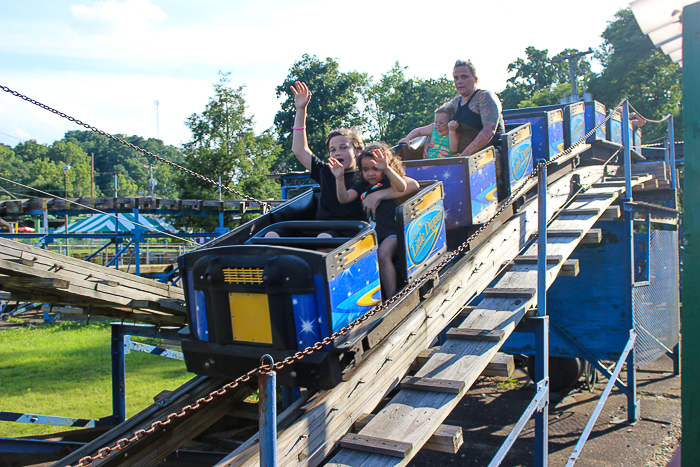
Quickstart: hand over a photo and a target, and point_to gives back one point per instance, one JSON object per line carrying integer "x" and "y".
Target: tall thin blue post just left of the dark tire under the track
{"x": 542, "y": 330}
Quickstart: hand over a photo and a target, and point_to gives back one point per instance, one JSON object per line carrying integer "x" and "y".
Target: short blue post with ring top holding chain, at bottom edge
{"x": 267, "y": 381}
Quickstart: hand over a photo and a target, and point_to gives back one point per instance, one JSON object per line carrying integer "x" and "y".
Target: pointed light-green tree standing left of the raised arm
{"x": 224, "y": 144}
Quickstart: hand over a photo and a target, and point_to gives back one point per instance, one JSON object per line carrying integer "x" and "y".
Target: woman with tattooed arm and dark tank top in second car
{"x": 478, "y": 111}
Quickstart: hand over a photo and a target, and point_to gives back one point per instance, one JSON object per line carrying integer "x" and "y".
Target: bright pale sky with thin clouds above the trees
{"x": 108, "y": 62}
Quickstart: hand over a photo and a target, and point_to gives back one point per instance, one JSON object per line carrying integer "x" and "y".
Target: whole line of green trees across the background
{"x": 223, "y": 141}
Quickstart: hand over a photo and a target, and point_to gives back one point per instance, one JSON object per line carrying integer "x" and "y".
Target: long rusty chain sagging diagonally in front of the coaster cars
{"x": 124, "y": 442}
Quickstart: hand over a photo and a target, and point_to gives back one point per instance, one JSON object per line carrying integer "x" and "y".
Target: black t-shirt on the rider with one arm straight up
{"x": 329, "y": 207}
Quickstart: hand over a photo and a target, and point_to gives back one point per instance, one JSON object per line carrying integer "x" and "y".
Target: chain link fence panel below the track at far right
{"x": 656, "y": 295}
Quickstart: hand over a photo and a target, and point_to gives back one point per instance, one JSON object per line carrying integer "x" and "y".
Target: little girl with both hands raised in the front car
{"x": 380, "y": 170}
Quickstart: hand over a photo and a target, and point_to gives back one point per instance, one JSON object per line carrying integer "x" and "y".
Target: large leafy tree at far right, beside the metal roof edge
{"x": 636, "y": 69}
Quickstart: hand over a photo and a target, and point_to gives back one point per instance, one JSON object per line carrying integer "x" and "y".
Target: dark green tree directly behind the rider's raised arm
{"x": 334, "y": 104}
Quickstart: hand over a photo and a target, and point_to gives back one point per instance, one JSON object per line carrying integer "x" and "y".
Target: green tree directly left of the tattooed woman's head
{"x": 396, "y": 105}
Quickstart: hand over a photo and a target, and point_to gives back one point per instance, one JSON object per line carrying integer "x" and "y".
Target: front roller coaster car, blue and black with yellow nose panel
{"x": 248, "y": 295}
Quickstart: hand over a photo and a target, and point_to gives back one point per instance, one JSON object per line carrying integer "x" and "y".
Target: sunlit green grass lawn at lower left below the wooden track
{"x": 64, "y": 370}
